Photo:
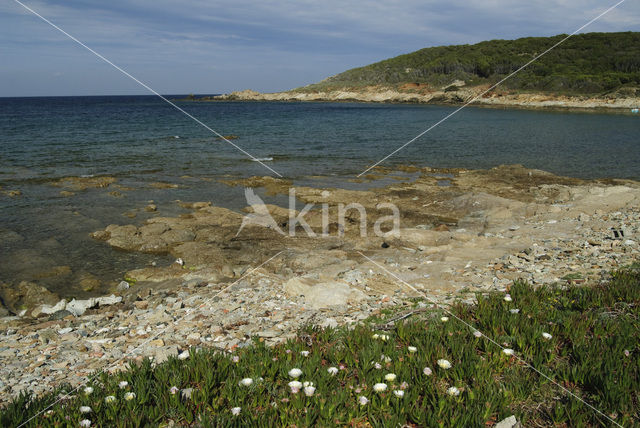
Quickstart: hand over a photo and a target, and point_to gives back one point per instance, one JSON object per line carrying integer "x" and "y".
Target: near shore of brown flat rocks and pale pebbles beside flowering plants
{"x": 461, "y": 232}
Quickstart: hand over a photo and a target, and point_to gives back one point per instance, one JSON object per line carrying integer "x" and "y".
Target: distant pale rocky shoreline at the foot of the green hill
{"x": 423, "y": 95}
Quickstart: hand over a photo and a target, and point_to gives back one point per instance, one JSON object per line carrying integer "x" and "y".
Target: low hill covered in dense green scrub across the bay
{"x": 591, "y": 63}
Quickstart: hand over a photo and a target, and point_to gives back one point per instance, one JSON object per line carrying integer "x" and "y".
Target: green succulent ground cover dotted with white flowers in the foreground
{"x": 428, "y": 369}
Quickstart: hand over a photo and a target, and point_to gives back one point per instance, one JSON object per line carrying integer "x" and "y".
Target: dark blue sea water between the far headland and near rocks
{"x": 141, "y": 139}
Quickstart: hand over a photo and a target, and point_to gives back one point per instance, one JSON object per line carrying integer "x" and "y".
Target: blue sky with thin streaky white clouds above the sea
{"x": 212, "y": 46}
